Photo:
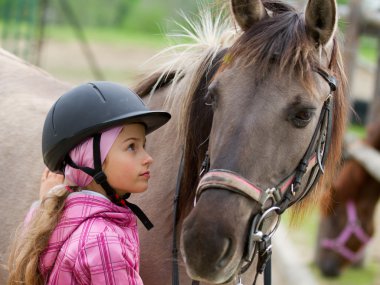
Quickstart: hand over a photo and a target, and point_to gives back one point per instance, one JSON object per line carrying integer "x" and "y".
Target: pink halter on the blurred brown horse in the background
{"x": 352, "y": 228}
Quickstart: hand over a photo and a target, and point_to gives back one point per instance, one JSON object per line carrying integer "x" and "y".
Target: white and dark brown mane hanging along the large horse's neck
{"x": 182, "y": 70}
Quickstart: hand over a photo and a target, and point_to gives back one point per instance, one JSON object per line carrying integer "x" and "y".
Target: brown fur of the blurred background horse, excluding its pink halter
{"x": 355, "y": 184}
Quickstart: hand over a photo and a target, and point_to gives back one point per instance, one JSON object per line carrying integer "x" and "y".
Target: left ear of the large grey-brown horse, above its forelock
{"x": 248, "y": 12}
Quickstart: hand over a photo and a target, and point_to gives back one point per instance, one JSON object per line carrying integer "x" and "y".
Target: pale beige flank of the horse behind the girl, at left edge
{"x": 26, "y": 95}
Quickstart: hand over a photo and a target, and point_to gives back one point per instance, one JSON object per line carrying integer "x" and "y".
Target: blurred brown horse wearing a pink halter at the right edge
{"x": 347, "y": 221}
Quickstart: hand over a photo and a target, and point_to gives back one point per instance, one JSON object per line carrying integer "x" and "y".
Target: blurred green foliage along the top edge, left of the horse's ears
{"x": 137, "y": 15}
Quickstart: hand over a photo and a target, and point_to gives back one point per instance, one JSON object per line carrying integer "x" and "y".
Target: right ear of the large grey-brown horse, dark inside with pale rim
{"x": 321, "y": 20}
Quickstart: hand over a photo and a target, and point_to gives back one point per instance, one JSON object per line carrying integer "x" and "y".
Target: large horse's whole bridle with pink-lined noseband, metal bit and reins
{"x": 279, "y": 197}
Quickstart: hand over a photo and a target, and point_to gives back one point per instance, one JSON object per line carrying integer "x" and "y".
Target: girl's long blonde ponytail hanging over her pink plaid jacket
{"x": 31, "y": 238}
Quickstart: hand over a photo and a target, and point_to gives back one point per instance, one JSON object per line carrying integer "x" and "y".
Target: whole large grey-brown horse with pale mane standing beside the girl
{"x": 255, "y": 105}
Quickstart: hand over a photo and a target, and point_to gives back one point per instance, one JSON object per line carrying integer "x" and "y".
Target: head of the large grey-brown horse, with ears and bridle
{"x": 274, "y": 109}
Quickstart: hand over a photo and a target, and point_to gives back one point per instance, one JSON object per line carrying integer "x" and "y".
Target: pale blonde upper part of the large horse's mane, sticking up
{"x": 193, "y": 47}
